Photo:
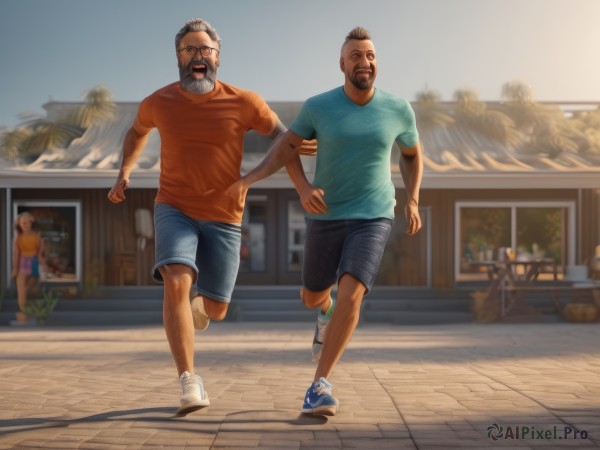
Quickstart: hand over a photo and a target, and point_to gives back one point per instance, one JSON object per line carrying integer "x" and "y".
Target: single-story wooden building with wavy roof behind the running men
{"x": 479, "y": 194}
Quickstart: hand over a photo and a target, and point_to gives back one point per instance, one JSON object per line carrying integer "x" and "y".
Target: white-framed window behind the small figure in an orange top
{"x": 60, "y": 226}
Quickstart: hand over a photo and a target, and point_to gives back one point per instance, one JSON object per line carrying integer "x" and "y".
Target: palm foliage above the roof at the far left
{"x": 36, "y": 134}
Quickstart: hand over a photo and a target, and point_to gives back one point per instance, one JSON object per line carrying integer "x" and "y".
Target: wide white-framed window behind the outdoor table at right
{"x": 541, "y": 230}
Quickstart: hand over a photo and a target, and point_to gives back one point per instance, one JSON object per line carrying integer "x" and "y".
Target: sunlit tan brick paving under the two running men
{"x": 419, "y": 387}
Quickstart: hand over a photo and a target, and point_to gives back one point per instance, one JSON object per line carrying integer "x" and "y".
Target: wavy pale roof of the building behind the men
{"x": 451, "y": 152}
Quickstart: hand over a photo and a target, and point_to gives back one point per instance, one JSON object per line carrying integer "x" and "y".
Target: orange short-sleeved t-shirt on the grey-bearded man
{"x": 202, "y": 137}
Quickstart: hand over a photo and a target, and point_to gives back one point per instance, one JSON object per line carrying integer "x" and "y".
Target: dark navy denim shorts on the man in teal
{"x": 335, "y": 247}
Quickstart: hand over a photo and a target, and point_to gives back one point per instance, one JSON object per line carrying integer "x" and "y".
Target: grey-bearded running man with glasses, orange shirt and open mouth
{"x": 200, "y": 201}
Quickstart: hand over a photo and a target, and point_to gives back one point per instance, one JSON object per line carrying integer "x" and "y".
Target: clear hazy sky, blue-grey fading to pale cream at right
{"x": 289, "y": 49}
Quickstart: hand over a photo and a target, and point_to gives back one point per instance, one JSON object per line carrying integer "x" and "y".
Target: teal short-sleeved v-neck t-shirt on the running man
{"x": 354, "y": 151}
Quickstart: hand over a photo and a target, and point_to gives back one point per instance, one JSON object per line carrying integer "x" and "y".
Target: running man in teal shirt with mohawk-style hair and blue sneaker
{"x": 350, "y": 203}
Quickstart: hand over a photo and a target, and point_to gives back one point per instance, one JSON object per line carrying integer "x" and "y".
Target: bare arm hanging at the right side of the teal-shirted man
{"x": 411, "y": 169}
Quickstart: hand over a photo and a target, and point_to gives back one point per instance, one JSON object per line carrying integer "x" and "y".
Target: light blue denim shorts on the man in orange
{"x": 211, "y": 249}
